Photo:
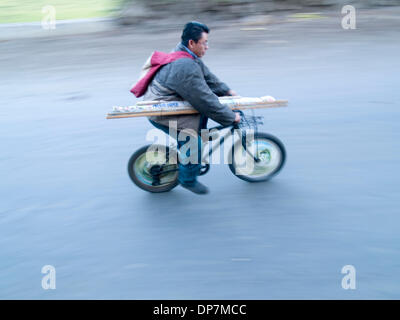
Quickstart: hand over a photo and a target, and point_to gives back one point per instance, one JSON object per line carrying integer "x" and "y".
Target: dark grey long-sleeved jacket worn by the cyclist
{"x": 190, "y": 80}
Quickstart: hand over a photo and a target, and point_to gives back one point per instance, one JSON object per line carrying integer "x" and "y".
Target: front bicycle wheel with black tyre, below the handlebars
{"x": 270, "y": 152}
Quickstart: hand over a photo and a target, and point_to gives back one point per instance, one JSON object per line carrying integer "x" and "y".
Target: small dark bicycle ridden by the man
{"x": 154, "y": 167}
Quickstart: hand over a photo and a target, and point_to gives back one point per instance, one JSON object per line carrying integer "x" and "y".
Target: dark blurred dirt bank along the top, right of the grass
{"x": 138, "y": 11}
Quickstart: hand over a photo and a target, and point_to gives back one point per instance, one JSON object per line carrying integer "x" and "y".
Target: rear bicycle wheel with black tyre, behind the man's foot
{"x": 152, "y": 169}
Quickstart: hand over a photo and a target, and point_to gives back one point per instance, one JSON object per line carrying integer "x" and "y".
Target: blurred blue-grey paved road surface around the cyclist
{"x": 66, "y": 199}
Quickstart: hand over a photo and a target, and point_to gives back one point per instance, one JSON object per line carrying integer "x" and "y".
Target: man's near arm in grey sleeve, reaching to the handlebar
{"x": 190, "y": 84}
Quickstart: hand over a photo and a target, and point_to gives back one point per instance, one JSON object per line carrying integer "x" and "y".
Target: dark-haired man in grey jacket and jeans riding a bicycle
{"x": 186, "y": 77}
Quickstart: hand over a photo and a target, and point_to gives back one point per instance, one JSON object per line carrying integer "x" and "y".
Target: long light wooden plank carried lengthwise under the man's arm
{"x": 119, "y": 115}
